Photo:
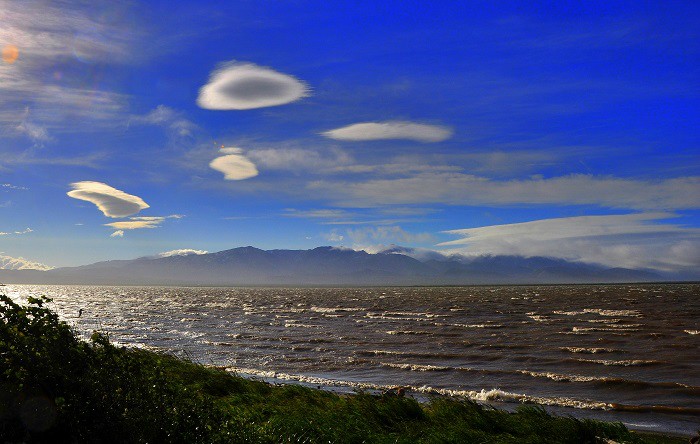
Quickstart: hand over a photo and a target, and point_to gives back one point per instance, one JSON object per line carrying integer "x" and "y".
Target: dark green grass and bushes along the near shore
{"x": 57, "y": 388}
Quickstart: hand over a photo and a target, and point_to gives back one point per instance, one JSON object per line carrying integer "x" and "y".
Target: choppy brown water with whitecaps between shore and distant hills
{"x": 615, "y": 352}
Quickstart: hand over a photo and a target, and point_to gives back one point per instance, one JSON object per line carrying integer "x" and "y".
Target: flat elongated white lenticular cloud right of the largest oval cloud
{"x": 418, "y": 132}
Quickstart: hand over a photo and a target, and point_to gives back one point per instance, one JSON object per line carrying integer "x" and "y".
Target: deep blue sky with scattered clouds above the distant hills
{"x": 562, "y": 129}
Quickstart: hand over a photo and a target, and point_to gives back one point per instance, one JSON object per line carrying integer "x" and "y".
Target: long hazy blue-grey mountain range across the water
{"x": 330, "y": 266}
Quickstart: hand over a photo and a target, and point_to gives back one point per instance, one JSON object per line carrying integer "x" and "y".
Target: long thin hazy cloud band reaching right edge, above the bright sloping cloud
{"x": 466, "y": 189}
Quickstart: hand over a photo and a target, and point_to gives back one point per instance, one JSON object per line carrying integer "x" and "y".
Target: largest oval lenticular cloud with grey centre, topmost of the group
{"x": 240, "y": 86}
